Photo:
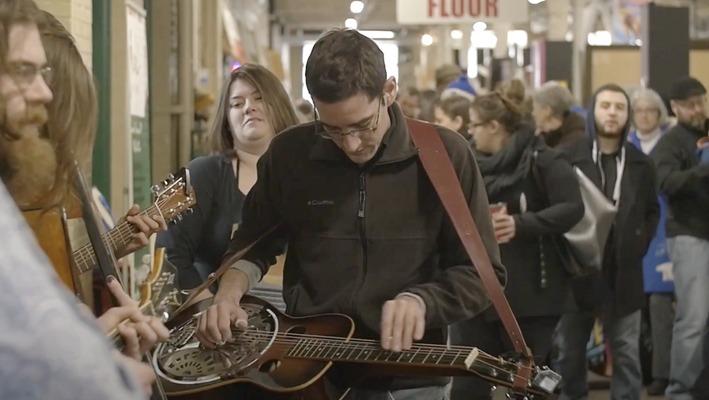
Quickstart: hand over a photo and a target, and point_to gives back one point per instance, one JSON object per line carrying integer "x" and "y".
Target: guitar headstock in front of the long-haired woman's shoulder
{"x": 174, "y": 196}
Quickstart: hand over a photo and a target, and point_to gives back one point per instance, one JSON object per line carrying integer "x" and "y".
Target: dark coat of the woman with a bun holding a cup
{"x": 542, "y": 207}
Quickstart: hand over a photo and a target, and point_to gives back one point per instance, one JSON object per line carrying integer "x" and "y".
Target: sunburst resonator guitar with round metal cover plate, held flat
{"x": 290, "y": 355}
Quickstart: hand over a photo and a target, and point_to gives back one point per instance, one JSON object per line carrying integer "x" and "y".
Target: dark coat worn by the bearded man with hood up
{"x": 634, "y": 227}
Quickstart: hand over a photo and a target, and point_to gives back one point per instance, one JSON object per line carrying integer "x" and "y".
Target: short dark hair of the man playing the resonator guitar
{"x": 344, "y": 63}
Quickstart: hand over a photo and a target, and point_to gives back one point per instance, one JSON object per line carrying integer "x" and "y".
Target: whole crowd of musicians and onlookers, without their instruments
{"x": 340, "y": 183}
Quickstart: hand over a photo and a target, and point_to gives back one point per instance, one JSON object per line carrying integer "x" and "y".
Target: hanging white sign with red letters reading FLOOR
{"x": 425, "y": 12}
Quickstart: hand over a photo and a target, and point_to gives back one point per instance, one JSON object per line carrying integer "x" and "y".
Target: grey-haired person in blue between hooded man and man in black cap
{"x": 649, "y": 118}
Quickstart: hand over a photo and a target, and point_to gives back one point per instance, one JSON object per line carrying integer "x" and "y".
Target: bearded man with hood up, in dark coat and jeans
{"x": 615, "y": 295}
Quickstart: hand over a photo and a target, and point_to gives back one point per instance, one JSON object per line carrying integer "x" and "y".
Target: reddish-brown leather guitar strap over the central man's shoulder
{"x": 439, "y": 169}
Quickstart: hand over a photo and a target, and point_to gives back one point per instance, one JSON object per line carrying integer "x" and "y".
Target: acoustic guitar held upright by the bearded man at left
{"x": 174, "y": 196}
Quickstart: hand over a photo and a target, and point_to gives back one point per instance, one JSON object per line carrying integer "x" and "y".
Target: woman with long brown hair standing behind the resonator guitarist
{"x": 253, "y": 109}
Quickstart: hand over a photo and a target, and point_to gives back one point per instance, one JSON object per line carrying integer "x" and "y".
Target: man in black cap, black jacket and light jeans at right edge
{"x": 683, "y": 179}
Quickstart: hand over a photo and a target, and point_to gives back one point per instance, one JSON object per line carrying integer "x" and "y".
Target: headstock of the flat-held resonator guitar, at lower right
{"x": 503, "y": 371}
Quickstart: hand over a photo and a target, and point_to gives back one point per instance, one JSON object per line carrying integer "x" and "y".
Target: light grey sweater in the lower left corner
{"x": 49, "y": 349}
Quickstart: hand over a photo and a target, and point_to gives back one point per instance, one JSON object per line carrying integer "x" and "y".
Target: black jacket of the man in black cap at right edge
{"x": 684, "y": 181}
